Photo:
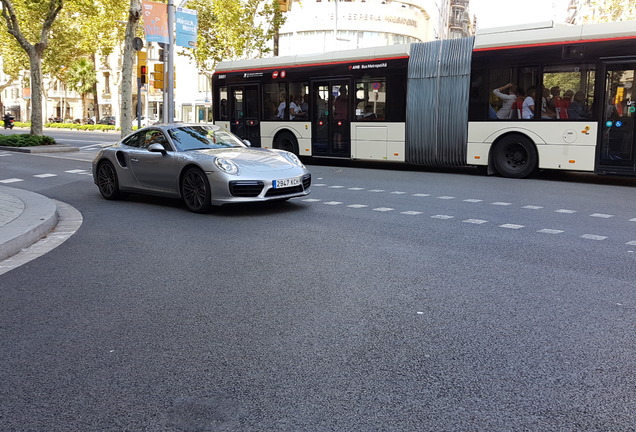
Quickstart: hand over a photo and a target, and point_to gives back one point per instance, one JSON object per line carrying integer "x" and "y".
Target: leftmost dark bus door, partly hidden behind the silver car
{"x": 243, "y": 109}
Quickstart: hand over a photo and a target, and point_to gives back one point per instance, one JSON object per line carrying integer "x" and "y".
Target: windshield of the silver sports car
{"x": 203, "y": 137}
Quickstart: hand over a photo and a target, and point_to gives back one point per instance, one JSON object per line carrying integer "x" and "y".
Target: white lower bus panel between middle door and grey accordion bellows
{"x": 370, "y": 141}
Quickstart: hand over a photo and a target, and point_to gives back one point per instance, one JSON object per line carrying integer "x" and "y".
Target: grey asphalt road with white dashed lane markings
{"x": 387, "y": 300}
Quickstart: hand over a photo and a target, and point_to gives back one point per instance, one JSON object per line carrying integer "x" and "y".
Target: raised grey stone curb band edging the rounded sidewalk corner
{"x": 38, "y": 218}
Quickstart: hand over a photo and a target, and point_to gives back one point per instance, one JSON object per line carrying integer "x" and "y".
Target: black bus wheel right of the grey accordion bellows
{"x": 515, "y": 156}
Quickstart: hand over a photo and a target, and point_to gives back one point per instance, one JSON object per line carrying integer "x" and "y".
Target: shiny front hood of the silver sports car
{"x": 255, "y": 159}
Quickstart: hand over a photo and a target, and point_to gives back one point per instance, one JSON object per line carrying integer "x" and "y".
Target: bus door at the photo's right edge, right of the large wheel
{"x": 618, "y": 140}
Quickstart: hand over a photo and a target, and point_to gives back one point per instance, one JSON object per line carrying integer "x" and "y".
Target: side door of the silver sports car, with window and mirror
{"x": 154, "y": 171}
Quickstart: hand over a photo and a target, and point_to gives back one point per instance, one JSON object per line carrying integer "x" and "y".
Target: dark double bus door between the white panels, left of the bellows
{"x": 331, "y": 130}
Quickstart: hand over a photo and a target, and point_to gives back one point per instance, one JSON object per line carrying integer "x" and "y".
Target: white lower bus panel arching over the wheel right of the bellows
{"x": 560, "y": 145}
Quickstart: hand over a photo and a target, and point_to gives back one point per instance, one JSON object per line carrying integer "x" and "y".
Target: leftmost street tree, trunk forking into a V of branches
{"x": 30, "y": 23}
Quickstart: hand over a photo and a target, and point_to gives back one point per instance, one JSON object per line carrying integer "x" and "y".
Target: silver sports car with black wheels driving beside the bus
{"x": 204, "y": 165}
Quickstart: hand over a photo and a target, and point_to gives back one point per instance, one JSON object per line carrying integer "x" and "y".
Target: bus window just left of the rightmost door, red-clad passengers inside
{"x": 569, "y": 92}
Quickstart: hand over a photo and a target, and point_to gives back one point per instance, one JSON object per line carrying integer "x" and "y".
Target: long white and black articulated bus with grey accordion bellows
{"x": 447, "y": 103}
